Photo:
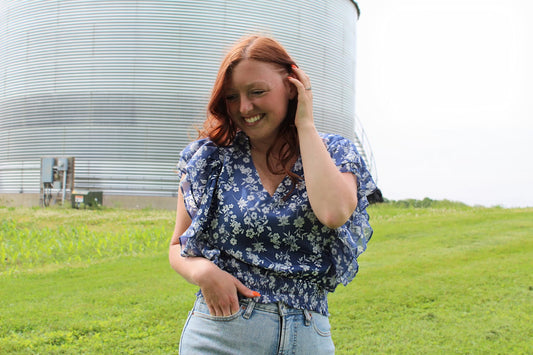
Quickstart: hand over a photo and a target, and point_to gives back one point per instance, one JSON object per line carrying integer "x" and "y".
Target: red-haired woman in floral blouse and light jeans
{"x": 271, "y": 214}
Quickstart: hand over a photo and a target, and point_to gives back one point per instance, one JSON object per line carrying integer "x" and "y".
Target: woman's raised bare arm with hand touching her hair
{"x": 332, "y": 194}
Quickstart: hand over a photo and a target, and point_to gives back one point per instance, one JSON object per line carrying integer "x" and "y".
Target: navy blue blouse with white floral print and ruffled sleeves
{"x": 273, "y": 244}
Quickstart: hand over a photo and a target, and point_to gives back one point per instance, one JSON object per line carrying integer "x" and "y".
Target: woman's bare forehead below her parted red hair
{"x": 248, "y": 72}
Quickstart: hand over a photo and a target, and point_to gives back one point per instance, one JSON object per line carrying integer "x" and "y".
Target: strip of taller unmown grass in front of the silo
{"x": 52, "y": 238}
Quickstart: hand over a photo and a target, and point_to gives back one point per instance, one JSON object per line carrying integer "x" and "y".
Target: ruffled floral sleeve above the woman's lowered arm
{"x": 199, "y": 165}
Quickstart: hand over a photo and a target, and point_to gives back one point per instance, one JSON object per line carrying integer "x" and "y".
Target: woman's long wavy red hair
{"x": 218, "y": 125}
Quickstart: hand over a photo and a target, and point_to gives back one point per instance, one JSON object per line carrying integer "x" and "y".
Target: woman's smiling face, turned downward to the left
{"x": 257, "y": 98}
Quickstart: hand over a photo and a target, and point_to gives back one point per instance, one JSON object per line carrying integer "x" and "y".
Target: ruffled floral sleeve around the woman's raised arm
{"x": 353, "y": 236}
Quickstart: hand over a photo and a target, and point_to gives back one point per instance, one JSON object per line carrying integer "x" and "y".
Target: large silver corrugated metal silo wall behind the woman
{"x": 119, "y": 85}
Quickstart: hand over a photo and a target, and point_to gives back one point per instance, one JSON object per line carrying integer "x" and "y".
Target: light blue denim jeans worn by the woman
{"x": 258, "y": 329}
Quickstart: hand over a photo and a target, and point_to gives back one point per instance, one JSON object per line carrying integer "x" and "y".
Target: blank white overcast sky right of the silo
{"x": 445, "y": 94}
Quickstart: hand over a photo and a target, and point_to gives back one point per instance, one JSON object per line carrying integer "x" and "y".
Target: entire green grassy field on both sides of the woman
{"x": 438, "y": 278}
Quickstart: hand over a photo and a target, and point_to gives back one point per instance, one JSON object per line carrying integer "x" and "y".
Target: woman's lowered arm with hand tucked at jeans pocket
{"x": 219, "y": 288}
